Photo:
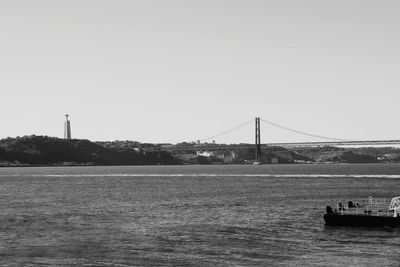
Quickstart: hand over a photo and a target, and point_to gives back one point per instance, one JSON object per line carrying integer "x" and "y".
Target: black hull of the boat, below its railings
{"x": 336, "y": 219}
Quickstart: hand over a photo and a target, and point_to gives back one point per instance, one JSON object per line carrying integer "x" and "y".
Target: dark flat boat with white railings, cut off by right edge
{"x": 374, "y": 212}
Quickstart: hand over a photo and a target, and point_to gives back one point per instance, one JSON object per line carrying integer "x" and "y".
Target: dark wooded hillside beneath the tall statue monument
{"x": 43, "y": 150}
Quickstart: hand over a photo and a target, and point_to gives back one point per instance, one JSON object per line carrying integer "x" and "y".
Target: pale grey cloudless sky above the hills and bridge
{"x": 171, "y": 71}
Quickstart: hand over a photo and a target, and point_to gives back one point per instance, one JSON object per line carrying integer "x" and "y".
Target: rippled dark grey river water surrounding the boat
{"x": 268, "y": 215}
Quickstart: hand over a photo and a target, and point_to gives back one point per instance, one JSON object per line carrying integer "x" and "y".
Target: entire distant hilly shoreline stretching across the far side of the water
{"x": 50, "y": 151}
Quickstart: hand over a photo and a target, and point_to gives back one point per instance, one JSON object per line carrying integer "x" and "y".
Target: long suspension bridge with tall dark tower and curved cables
{"x": 203, "y": 145}
